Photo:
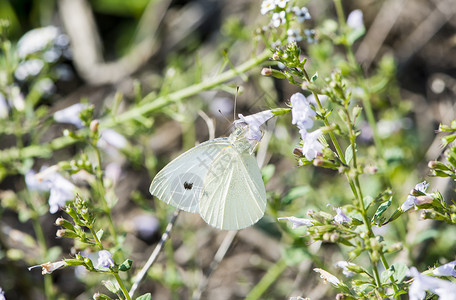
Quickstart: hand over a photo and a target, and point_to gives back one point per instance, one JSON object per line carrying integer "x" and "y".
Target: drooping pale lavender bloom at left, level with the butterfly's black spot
{"x": 62, "y": 191}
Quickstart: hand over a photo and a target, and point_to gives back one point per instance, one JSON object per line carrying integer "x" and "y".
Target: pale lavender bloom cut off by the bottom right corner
{"x": 422, "y": 283}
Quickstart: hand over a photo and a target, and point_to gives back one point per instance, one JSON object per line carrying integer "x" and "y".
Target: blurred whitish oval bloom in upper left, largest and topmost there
{"x": 36, "y": 40}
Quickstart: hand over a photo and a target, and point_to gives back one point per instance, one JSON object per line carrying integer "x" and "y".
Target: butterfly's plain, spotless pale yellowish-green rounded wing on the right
{"x": 233, "y": 195}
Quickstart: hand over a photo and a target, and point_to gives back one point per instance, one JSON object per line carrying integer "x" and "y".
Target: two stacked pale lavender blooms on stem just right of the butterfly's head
{"x": 302, "y": 114}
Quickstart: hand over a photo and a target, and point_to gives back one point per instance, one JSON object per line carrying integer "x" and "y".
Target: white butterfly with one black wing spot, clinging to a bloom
{"x": 219, "y": 179}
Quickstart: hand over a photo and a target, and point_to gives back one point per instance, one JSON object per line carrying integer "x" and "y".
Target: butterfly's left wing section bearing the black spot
{"x": 180, "y": 182}
